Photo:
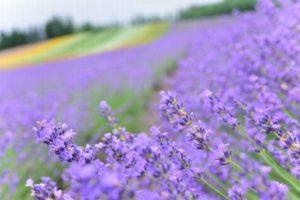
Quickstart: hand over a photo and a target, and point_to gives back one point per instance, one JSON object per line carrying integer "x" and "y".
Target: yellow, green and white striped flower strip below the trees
{"x": 83, "y": 44}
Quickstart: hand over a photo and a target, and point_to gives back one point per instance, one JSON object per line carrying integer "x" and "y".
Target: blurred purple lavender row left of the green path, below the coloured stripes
{"x": 68, "y": 90}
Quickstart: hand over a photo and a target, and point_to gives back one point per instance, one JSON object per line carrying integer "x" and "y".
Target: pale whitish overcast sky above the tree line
{"x": 29, "y": 13}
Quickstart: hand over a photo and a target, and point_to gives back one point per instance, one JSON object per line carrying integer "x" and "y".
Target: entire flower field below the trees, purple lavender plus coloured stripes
{"x": 204, "y": 109}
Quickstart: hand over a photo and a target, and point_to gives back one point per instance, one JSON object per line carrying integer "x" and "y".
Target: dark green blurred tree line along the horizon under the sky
{"x": 58, "y": 26}
